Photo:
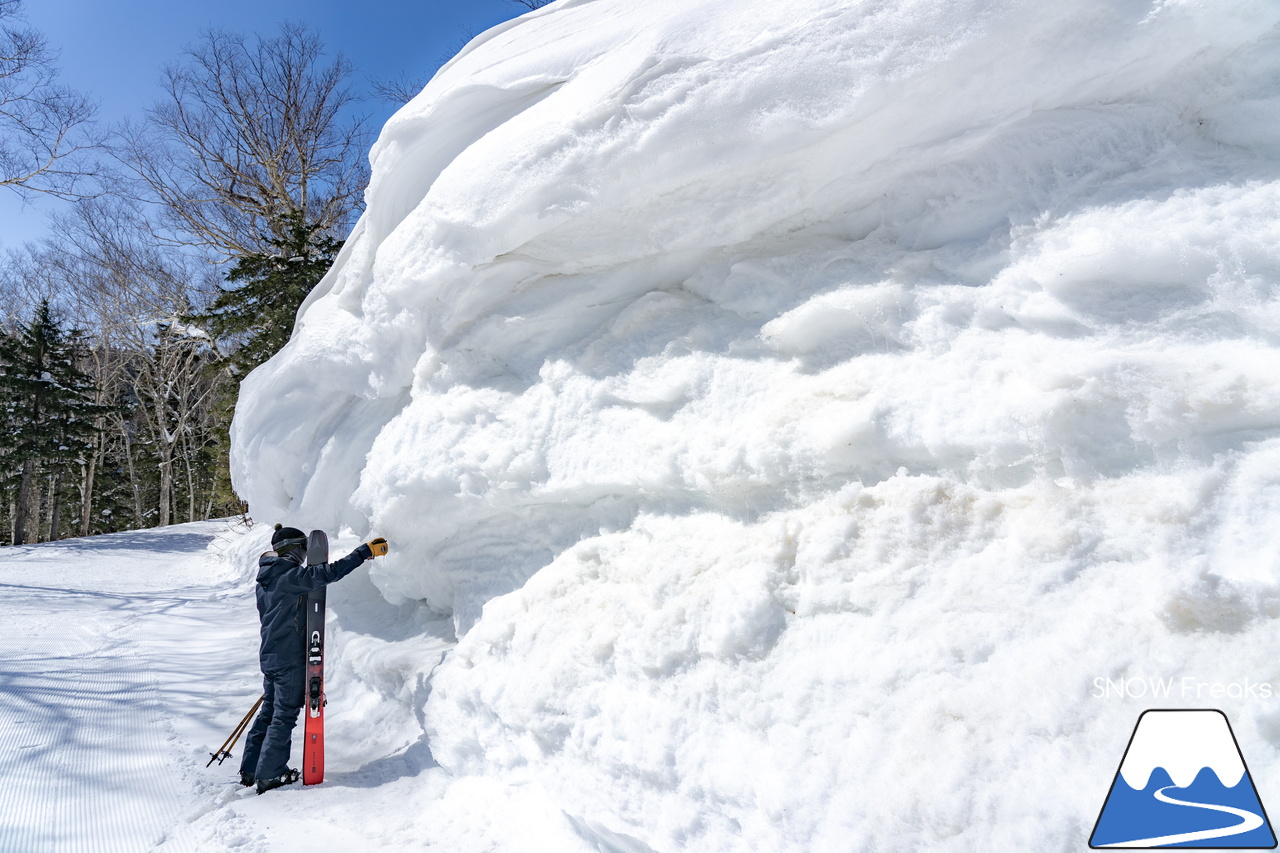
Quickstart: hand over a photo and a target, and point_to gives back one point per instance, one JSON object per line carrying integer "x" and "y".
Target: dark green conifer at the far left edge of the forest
{"x": 49, "y": 417}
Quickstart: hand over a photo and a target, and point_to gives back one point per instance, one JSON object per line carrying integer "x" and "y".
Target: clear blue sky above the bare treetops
{"x": 115, "y": 51}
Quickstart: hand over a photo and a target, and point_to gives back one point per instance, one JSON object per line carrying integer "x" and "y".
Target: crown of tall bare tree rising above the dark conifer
{"x": 250, "y": 135}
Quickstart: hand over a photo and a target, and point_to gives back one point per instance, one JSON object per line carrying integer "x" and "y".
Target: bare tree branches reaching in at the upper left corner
{"x": 47, "y": 130}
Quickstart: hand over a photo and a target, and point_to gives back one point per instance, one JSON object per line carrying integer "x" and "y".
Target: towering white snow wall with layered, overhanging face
{"x": 811, "y": 413}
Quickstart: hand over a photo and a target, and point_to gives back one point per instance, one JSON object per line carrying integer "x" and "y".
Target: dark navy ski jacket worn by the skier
{"x": 282, "y": 586}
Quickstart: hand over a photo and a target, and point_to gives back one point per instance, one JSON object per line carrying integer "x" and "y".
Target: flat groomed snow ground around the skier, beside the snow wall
{"x": 129, "y": 659}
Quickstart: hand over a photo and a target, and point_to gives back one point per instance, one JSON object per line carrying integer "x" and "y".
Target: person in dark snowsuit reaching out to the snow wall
{"x": 284, "y": 582}
